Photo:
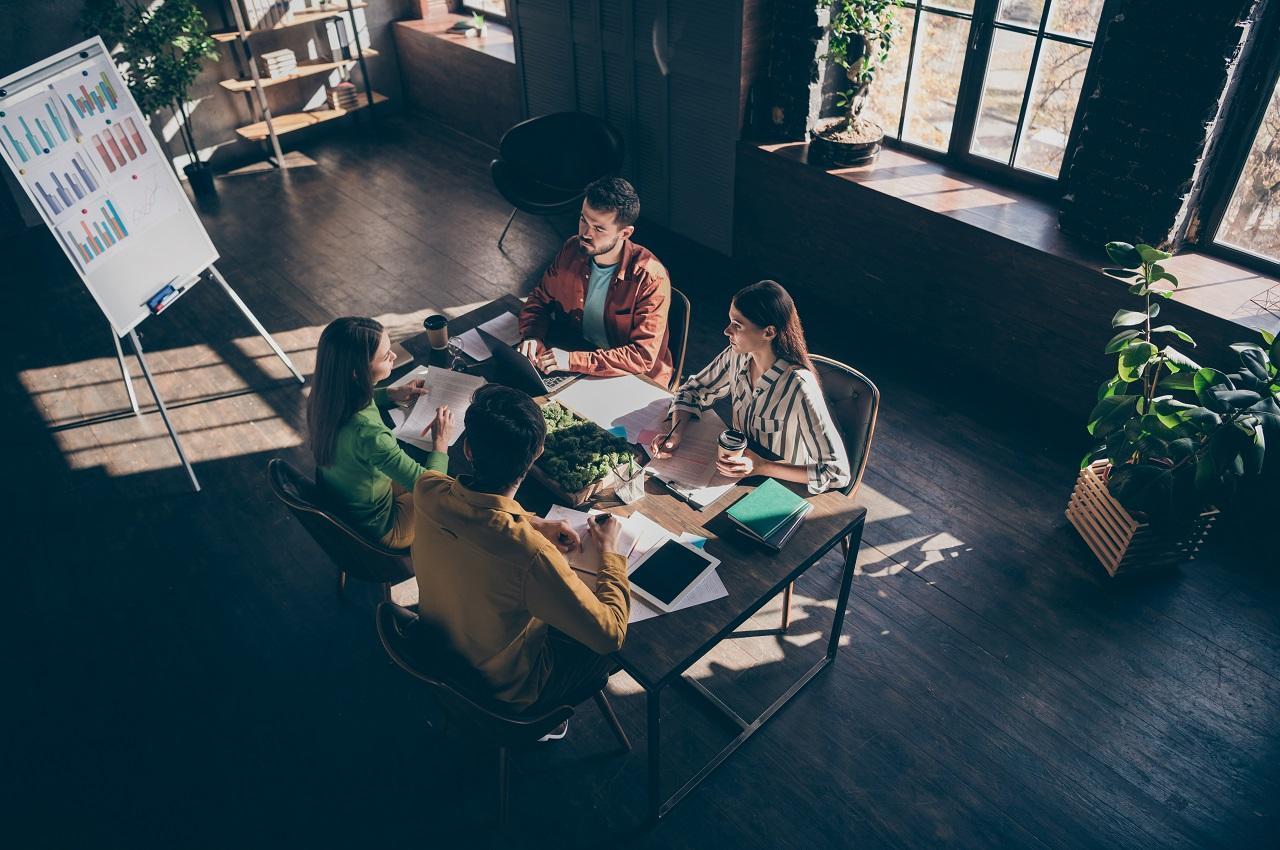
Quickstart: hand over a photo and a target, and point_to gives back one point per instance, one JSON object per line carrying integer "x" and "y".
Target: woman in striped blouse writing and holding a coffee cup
{"x": 778, "y": 403}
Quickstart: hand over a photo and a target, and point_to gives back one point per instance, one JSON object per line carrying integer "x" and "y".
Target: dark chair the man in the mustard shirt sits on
{"x": 424, "y": 654}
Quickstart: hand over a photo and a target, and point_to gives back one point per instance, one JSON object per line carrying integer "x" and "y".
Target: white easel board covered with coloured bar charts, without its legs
{"x": 88, "y": 159}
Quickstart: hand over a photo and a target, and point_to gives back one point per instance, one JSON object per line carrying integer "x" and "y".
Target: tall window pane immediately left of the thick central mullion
{"x": 931, "y": 102}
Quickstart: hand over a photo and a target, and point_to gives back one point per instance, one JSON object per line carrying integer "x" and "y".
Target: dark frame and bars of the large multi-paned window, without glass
{"x": 982, "y": 30}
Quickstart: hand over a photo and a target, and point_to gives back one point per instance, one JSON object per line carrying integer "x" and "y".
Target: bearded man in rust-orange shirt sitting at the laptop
{"x": 602, "y": 305}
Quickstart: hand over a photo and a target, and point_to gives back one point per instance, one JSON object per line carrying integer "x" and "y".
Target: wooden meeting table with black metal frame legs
{"x": 660, "y": 651}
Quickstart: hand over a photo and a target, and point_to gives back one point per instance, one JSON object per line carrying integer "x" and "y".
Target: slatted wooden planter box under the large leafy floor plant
{"x": 1118, "y": 540}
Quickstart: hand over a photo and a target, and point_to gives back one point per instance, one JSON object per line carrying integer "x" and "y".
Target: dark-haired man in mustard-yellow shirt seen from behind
{"x": 493, "y": 578}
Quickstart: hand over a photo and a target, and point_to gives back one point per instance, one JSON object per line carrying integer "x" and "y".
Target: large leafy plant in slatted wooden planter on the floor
{"x": 1176, "y": 438}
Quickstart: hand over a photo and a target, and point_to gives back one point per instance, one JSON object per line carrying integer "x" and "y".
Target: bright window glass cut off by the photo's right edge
{"x": 1252, "y": 220}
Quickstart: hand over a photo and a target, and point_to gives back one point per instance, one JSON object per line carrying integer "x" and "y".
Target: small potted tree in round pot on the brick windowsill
{"x": 860, "y": 36}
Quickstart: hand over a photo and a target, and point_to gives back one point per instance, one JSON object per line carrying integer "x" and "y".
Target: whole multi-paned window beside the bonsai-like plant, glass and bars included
{"x": 995, "y": 83}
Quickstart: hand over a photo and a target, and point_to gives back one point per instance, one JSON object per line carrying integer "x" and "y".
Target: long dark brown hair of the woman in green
{"x": 344, "y": 381}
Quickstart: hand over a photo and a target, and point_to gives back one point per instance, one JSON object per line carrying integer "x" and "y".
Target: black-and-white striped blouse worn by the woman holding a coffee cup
{"x": 784, "y": 413}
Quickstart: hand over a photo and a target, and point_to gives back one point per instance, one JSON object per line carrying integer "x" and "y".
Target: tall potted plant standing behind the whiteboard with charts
{"x": 162, "y": 49}
